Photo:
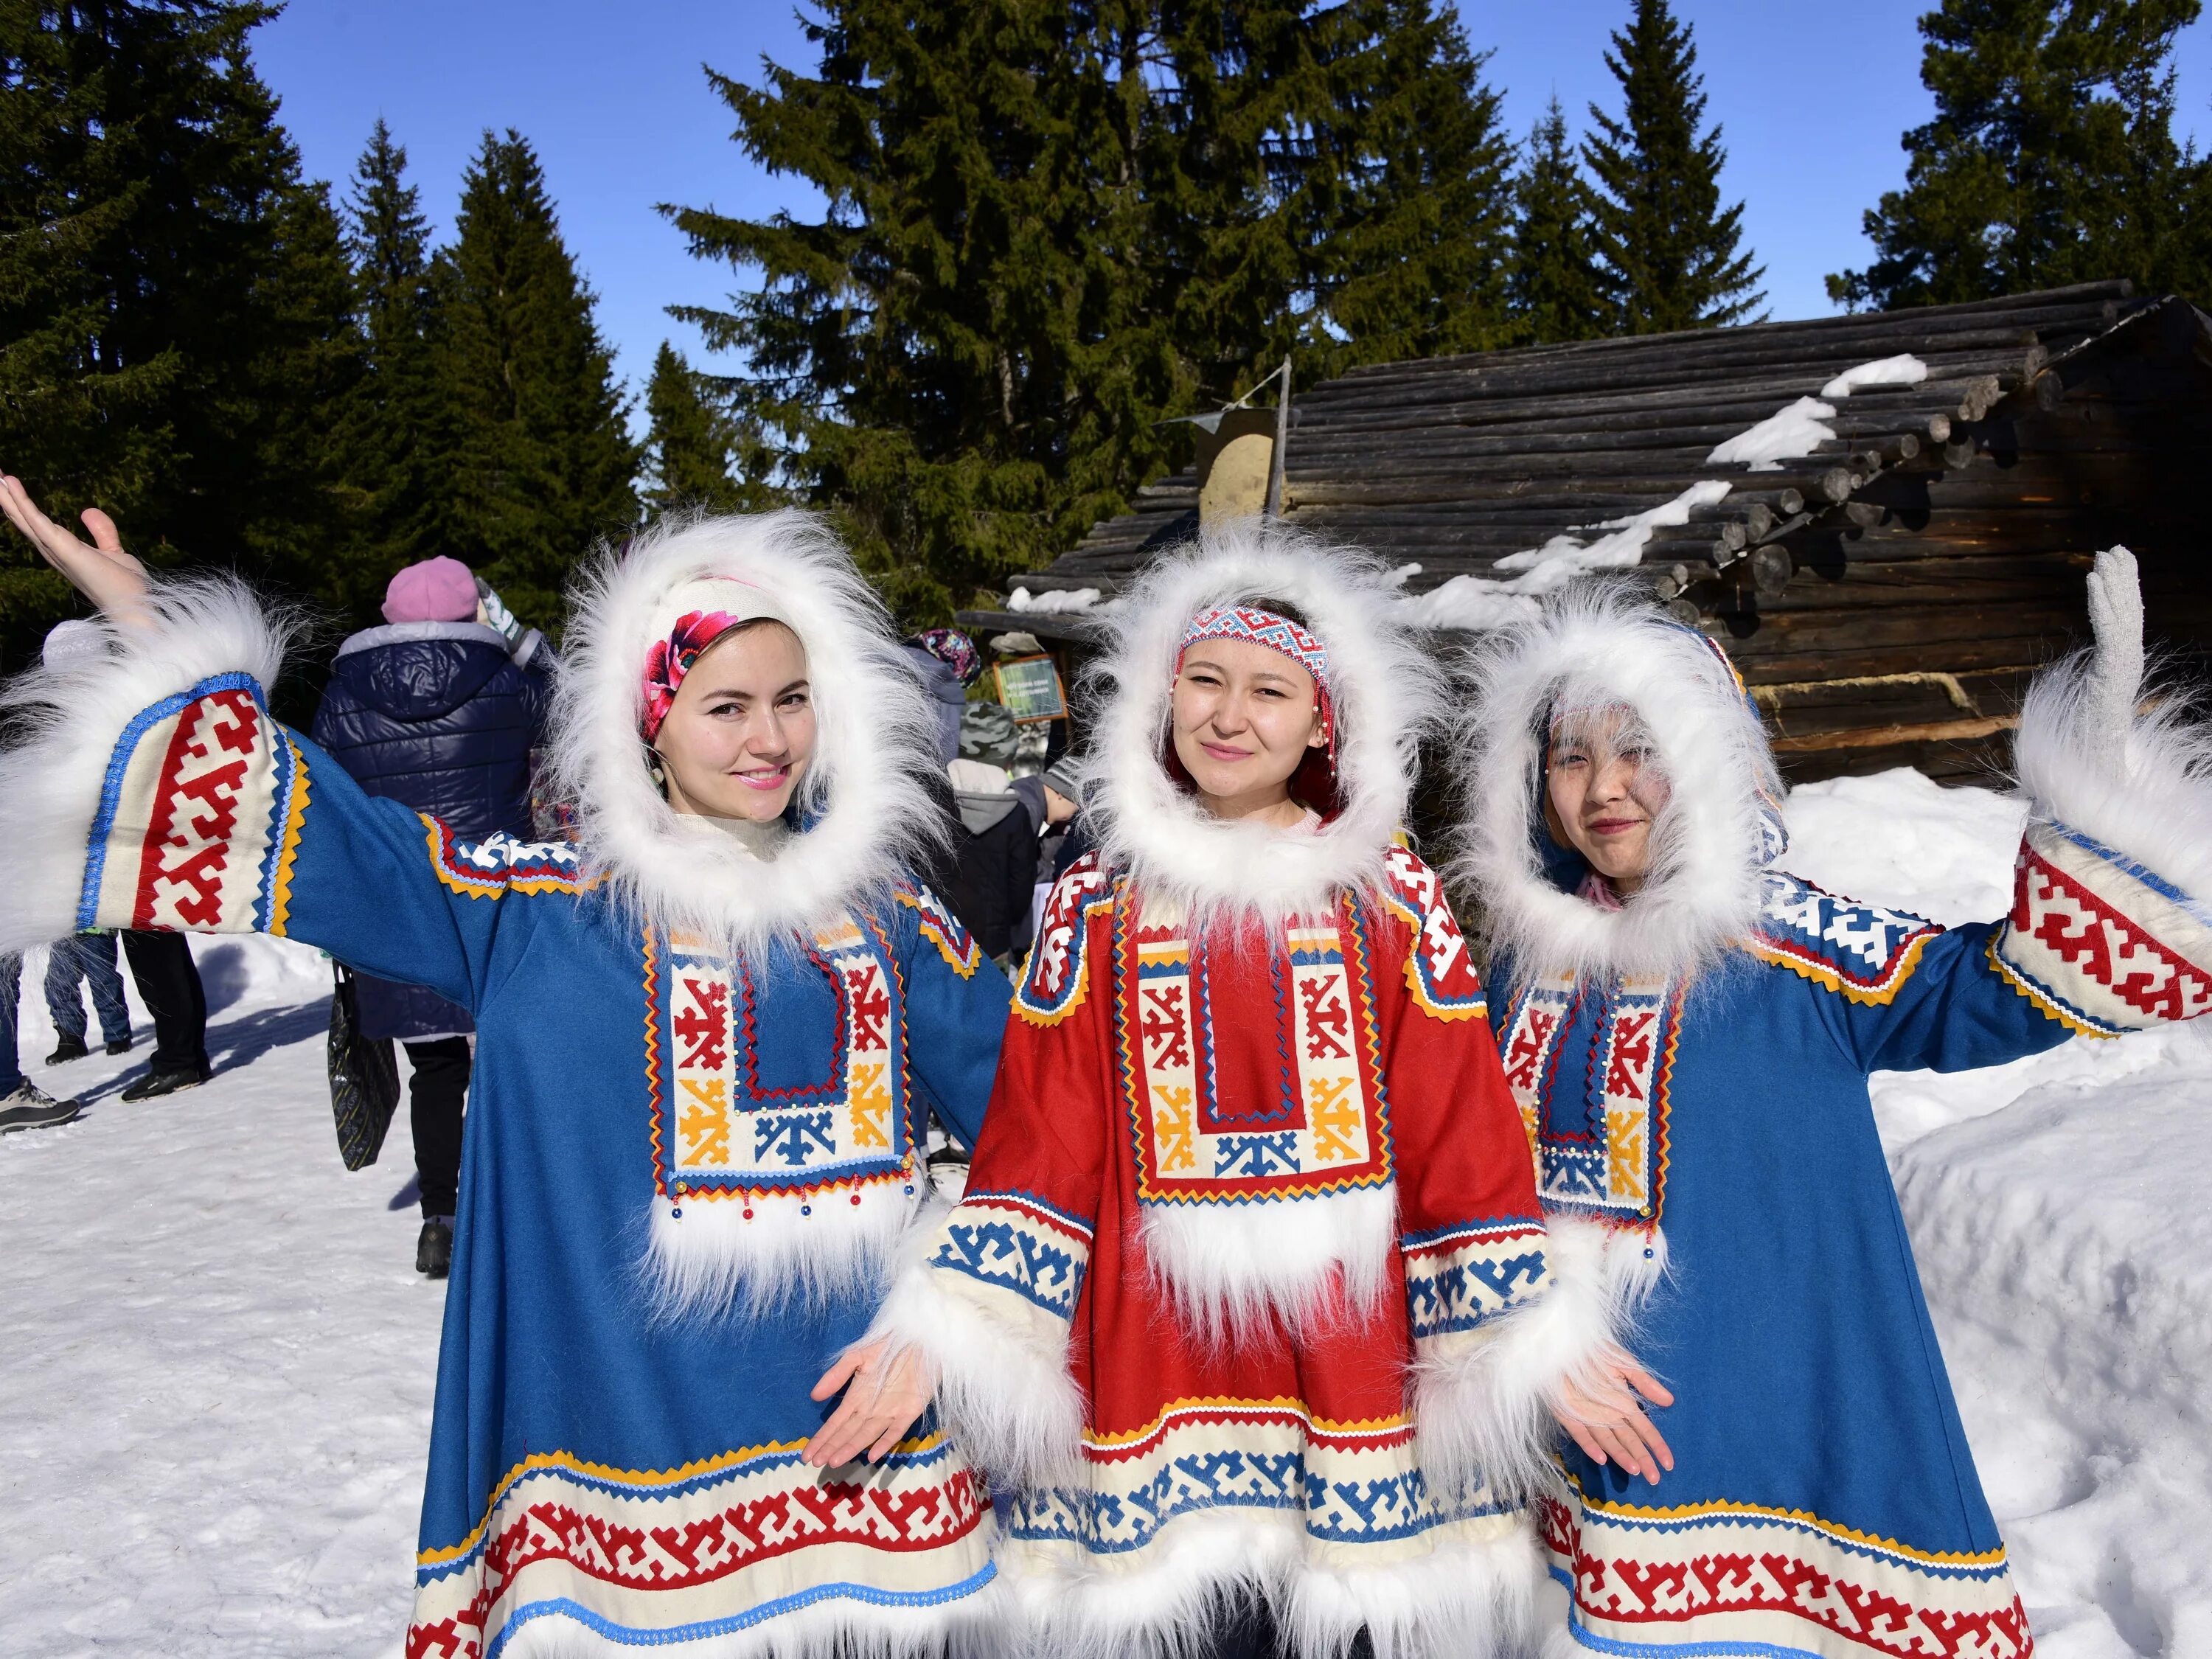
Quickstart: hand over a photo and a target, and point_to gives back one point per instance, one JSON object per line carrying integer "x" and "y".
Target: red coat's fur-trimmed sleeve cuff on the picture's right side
{"x": 1485, "y": 1381}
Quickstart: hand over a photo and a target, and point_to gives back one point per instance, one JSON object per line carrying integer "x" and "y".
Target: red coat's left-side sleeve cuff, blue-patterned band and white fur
{"x": 988, "y": 1302}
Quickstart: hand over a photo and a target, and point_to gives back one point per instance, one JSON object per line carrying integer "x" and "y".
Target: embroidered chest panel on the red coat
{"x": 1251, "y": 1072}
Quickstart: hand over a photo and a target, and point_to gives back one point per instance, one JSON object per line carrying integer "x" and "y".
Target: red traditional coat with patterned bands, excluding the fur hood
{"x": 1173, "y": 1120}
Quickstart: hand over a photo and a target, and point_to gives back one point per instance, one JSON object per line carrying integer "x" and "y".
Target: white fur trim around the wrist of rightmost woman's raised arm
{"x": 2145, "y": 789}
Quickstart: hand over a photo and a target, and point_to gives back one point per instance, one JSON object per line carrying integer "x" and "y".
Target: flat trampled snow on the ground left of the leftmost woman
{"x": 218, "y": 1359}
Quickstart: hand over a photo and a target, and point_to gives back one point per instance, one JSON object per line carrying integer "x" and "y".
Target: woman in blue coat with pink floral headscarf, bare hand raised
{"x": 709, "y": 1039}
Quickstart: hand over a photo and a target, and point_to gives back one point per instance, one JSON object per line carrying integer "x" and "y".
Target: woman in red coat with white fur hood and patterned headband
{"x": 1249, "y": 1160}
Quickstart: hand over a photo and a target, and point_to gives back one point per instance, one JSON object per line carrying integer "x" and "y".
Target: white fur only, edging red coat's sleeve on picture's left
{"x": 1003, "y": 1373}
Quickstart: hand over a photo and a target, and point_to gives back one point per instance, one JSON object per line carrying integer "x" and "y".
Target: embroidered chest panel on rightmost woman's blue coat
{"x": 1596, "y": 1112}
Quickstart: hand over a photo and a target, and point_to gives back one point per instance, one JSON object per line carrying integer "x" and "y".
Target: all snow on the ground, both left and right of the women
{"x": 218, "y": 1357}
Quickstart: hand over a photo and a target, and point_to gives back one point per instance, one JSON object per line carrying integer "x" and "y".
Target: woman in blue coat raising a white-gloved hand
{"x": 1689, "y": 1034}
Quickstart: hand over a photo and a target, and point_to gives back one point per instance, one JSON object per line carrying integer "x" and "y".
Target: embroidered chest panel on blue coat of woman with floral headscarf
{"x": 720, "y": 1127}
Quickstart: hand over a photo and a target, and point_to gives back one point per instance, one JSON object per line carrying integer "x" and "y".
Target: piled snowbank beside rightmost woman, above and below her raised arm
{"x": 2067, "y": 1251}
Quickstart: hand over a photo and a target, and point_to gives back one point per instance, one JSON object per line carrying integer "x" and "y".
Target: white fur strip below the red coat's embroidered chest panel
{"x": 1235, "y": 1266}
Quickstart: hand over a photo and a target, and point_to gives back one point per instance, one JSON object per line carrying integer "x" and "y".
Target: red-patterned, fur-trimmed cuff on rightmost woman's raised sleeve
{"x": 2111, "y": 924}
